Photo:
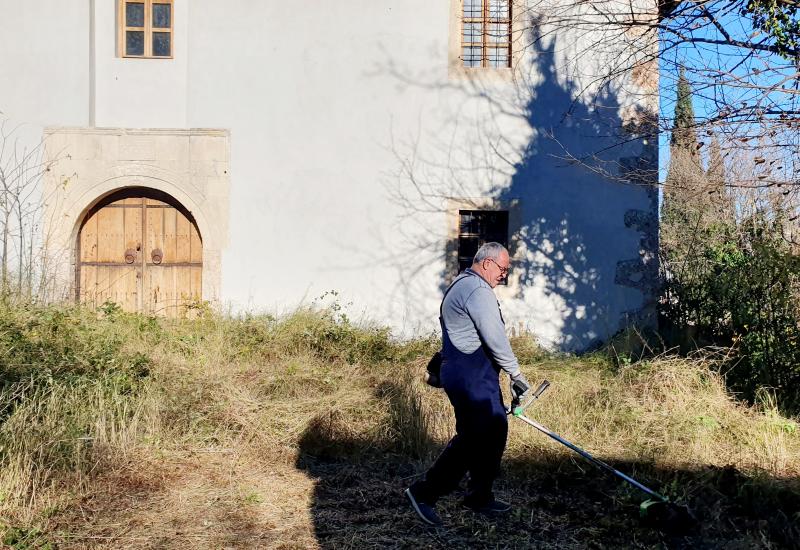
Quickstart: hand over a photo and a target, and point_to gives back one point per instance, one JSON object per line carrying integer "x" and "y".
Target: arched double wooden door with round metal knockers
{"x": 141, "y": 250}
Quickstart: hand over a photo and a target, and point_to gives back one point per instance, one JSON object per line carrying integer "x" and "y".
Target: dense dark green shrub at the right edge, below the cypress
{"x": 739, "y": 289}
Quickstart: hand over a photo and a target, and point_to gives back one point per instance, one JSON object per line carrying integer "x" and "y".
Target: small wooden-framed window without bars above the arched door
{"x": 145, "y": 28}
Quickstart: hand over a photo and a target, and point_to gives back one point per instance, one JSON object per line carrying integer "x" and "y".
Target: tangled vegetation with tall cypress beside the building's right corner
{"x": 731, "y": 263}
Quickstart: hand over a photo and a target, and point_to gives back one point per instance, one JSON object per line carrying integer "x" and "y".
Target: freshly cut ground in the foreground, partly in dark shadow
{"x": 216, "y": 498}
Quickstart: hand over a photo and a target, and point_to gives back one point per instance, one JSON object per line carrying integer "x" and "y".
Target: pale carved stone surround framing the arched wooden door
{"x": 89, "y": 164}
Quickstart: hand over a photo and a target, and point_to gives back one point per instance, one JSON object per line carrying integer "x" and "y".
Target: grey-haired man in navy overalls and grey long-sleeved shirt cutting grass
{"x": 474, "y": 350}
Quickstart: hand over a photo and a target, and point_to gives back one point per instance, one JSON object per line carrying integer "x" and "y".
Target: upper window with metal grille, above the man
{"x": 486, "y": 33}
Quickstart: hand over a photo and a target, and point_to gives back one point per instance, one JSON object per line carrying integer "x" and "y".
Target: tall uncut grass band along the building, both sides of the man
{"x": 84, "y": 391}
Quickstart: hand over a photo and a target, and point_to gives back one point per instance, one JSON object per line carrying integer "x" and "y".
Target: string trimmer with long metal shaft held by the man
{"x": 657, "y": 510}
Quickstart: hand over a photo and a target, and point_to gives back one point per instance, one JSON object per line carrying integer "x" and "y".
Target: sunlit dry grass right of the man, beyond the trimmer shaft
{"x": 672, "y": 413}
